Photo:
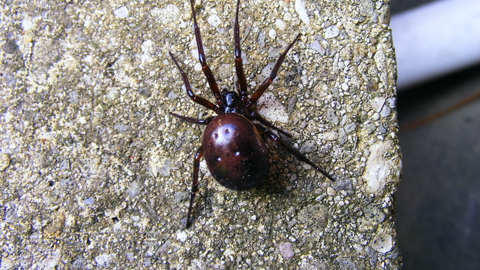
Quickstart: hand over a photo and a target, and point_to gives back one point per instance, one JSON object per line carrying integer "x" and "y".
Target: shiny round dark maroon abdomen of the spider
{"x": 235, "y": 152}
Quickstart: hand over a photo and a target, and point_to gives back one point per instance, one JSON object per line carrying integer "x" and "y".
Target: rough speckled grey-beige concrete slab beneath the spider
{"x": 96, "y": 174}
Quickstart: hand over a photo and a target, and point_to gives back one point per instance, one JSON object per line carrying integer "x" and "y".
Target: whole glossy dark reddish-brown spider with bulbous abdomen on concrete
{"x": 233, "y": 141}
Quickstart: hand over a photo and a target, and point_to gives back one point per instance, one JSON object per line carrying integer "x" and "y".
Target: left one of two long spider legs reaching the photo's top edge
{"x": 203, "y": 61}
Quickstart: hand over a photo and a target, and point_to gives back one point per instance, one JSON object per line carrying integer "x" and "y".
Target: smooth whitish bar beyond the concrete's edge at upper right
{"x": 436, "y": 39}
